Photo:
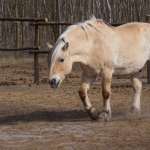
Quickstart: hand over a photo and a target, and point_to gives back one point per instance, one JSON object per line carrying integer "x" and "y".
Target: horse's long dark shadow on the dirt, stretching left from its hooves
{"x": 49, "y": 116}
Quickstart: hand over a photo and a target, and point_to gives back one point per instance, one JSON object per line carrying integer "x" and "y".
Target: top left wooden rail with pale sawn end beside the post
{"x": 23, "y": 19}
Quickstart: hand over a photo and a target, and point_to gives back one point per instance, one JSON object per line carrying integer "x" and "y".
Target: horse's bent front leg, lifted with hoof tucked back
{"x": 86, "y": 83}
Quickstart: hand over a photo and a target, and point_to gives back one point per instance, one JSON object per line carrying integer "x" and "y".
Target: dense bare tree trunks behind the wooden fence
{"x": 70, "y": 11}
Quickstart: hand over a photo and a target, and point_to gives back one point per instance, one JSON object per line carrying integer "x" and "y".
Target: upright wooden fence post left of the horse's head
{"x": 36, "y": 44}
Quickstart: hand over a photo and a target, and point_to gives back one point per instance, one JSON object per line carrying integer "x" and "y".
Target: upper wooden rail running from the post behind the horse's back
{"x": 65, "y": 23}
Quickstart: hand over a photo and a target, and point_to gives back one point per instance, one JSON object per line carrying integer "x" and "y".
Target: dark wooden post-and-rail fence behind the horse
{"x": 35, "y": 49}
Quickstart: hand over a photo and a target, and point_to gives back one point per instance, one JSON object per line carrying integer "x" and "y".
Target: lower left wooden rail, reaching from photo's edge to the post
{"x": 19, "y": 49}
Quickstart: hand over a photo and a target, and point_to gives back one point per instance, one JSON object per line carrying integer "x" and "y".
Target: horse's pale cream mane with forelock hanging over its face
{"x": 55, "y": 53}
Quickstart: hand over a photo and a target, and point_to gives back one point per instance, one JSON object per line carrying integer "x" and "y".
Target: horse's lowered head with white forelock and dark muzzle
{"x": 59, "y": 62}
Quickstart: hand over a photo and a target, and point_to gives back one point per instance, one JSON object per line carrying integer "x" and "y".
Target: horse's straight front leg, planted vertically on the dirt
{"x": 106, "y": 91}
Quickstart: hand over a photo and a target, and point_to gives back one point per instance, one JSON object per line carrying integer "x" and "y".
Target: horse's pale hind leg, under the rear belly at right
{"x": 137, "y": 86}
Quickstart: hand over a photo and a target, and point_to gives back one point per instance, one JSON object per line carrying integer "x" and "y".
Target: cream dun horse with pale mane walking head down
{"x": 105, "y": 51}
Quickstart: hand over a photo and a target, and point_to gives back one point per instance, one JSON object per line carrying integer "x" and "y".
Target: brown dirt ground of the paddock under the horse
{"x": 34, "y": 116}
